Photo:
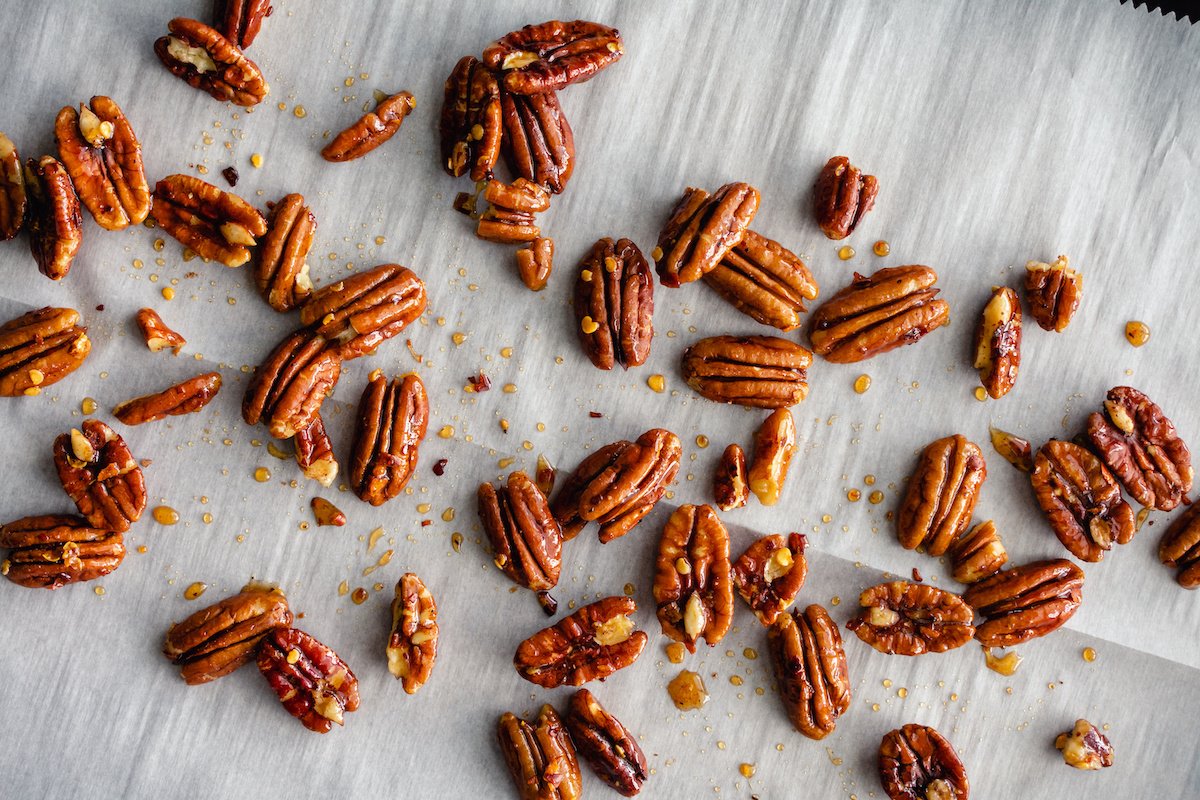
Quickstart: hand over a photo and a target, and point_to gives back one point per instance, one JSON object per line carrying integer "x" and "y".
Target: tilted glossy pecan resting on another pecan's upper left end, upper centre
{"x": 703, "y": 231}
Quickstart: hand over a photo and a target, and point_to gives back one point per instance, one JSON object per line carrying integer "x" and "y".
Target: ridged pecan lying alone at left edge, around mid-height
{"x": 40, "y": 348}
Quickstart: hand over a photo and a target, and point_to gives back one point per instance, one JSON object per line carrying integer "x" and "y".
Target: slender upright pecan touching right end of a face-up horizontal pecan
{"x": 280, "y": 268}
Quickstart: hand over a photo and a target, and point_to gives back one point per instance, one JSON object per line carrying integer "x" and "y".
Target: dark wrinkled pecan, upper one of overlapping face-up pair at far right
{"x": 1139, "y": 444}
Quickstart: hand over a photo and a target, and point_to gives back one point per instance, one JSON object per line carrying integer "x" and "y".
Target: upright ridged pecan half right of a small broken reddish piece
{"x": 392, "y": 425}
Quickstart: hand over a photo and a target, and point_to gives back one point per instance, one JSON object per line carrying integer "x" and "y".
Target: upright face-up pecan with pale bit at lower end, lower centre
{"x": 693, "y": 581}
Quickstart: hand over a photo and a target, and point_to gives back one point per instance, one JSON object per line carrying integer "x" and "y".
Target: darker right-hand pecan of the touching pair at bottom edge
{"x": 607, "y": 744}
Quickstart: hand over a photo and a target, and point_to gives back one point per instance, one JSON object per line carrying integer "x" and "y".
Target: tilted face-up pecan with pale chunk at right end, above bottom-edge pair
{"x": 591, "y": 645}
